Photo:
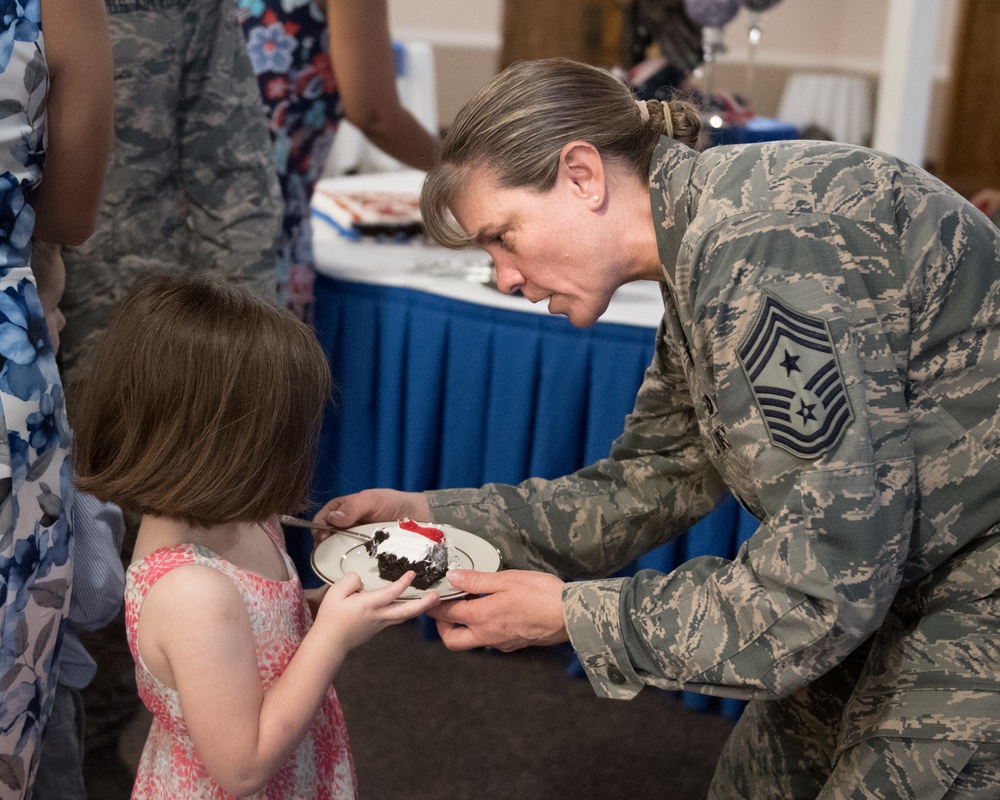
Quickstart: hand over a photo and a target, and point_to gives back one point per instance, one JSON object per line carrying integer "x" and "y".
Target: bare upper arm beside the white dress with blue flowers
{"x": 80, "y": 119}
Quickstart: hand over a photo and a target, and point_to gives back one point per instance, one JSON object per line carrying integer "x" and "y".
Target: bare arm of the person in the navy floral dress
{"x": 363, "y": 61}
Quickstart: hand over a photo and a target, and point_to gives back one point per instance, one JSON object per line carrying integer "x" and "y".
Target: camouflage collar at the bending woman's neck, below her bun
{"x": 672, "y": 197}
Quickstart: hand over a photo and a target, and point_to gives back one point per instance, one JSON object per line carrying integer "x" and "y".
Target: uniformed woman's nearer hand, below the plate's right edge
{"x": 518, "y": 608}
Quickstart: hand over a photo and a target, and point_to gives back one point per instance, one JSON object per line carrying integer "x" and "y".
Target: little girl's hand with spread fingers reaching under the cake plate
{"x": 350, "y": 616}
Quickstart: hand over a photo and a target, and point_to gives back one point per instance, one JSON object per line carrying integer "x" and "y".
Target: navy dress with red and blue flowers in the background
{"x": 290, "y": 51}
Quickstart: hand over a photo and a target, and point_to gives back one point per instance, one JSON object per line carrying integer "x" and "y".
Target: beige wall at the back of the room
{"x": 814, "y": 35}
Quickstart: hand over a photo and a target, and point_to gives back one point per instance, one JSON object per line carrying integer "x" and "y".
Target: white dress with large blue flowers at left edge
{"x": 35, "y": 484}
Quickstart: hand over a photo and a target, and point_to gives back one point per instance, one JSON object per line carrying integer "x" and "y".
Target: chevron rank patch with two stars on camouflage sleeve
{"x": 789, "y": 359}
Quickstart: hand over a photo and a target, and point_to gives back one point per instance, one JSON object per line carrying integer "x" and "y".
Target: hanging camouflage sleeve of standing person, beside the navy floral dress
{"x": 228, "y": 176}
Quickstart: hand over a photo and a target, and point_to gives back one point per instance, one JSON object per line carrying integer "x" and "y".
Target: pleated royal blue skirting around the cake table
{"x": 433, "y": 392}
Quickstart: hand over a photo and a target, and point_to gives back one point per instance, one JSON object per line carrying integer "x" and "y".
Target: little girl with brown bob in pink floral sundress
{"x": 202, "y": 414}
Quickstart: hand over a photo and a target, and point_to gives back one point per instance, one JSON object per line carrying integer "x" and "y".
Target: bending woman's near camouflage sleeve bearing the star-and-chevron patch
{"x": 778, "y": 325}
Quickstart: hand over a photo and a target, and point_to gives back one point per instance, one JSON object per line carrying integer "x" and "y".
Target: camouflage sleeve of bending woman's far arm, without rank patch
{"x": 655, "y": 483}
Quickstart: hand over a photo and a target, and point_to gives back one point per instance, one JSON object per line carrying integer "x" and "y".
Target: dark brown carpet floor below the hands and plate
{"x": 429, "y": 724}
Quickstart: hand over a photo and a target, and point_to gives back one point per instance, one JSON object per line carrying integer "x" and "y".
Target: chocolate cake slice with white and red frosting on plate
{"x": 409, "y": 545}
